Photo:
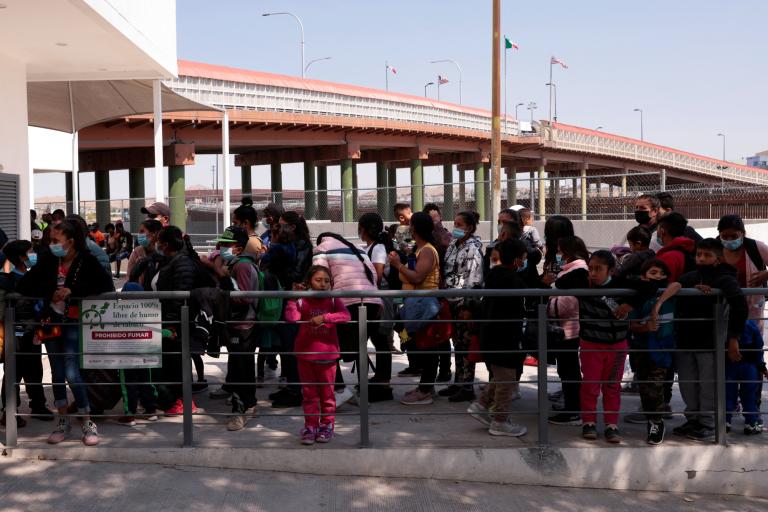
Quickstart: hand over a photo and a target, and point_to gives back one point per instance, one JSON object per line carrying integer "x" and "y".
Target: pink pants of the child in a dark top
{"x": 606, "y": 366}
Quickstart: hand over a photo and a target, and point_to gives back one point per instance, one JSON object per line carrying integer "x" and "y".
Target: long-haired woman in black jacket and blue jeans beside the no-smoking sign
{"x": 63, "y": 276}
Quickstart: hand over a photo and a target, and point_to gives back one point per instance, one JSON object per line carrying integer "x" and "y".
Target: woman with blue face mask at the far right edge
{"x": 749, "y": 257}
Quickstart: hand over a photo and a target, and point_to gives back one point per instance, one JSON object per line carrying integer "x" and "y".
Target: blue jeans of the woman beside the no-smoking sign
{"x": 65, "y": 367}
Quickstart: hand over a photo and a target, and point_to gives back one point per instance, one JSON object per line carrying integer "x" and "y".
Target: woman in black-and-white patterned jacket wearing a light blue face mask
{"x": 463, "y": 270}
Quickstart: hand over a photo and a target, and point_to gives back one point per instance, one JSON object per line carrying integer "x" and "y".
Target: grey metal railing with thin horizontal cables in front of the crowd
{"x": 540, "y": 317}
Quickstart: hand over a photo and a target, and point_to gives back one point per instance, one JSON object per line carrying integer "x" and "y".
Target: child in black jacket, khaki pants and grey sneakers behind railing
{"x": 508, "y": 263}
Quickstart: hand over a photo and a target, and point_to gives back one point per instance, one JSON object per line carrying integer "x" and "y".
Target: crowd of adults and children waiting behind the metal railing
{"x": 589, "y": 337}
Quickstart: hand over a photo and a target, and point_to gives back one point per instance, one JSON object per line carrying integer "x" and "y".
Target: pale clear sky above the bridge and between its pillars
{"x": 696, "y": 68}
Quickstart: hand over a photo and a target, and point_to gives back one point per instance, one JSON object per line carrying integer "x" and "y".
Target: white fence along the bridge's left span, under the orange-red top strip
{"x": 271, "y": 98}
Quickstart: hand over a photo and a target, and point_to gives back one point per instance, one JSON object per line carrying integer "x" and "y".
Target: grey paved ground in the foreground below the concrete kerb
{"x": 31, "y": 486}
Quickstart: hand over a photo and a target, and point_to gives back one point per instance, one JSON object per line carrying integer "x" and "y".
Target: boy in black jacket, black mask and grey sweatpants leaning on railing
{"x": 697, "y": 339}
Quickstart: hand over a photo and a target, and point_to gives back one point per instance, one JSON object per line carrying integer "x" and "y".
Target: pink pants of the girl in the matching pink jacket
{"x": 319, "y": 401}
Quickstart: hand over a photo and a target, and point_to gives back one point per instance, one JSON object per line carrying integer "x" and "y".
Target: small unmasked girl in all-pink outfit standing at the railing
{"x": 317, "y": 347}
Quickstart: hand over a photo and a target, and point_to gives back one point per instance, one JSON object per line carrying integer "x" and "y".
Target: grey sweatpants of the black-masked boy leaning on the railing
{"x": 699, "y": 395}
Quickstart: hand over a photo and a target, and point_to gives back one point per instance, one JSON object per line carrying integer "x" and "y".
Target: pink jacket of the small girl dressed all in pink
{"x": 323, "y": 338}
